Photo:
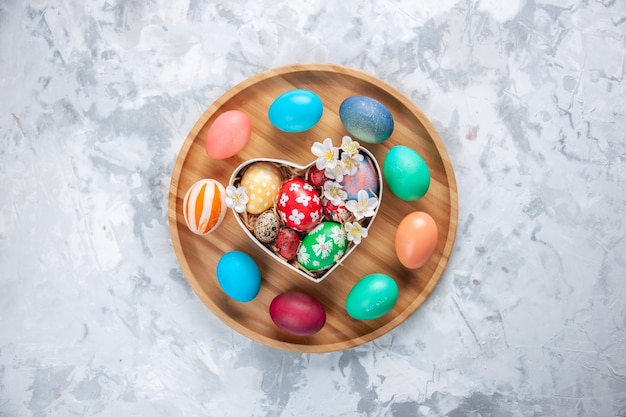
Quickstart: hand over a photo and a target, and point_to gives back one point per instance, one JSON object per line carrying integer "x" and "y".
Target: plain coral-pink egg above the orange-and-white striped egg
{"x": 228, "y": 134}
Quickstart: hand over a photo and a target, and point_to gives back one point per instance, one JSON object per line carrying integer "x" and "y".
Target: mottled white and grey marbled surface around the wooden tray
{"x": 96, "y": 318}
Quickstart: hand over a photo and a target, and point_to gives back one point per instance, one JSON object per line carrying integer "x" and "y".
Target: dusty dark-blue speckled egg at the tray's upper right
{"x": 366, "y": 119}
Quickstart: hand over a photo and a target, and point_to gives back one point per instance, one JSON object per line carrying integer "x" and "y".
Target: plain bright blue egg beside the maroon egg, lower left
{"x": 239, "y": 276}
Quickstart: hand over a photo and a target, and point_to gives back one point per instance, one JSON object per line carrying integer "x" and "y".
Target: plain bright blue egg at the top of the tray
{"x": 296, "y": 111}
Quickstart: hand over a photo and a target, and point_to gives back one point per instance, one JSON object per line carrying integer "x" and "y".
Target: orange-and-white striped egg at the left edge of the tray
{"x": 204, "y": 206}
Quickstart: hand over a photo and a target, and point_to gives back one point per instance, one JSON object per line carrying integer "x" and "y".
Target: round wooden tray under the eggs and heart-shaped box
{"x": 198, "y": 255}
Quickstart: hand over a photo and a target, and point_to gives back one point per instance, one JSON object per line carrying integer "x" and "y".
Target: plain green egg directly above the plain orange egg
{"x": 406, "y": 173}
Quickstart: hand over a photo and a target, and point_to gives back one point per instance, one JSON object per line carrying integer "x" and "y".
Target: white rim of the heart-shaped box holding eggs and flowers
{"x": 321, "y": 275}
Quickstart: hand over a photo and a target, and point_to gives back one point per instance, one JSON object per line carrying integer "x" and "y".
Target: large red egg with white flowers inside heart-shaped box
{"x": 299, "y": 205}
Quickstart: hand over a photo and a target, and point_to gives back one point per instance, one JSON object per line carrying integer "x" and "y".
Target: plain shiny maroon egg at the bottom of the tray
{"x": 297, "y": 313}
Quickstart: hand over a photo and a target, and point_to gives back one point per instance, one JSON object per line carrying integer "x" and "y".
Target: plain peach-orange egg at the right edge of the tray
{"x": 416, "y": 239}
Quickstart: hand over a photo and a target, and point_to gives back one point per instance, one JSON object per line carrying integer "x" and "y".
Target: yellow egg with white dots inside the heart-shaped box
{"x": 262, "y": 181}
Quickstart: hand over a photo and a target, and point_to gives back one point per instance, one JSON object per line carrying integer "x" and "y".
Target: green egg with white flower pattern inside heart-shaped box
{"x": 323, "y": 246}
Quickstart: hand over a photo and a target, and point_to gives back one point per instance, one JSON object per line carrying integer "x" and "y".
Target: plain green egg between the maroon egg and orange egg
{"x": 372, "y": 297}
